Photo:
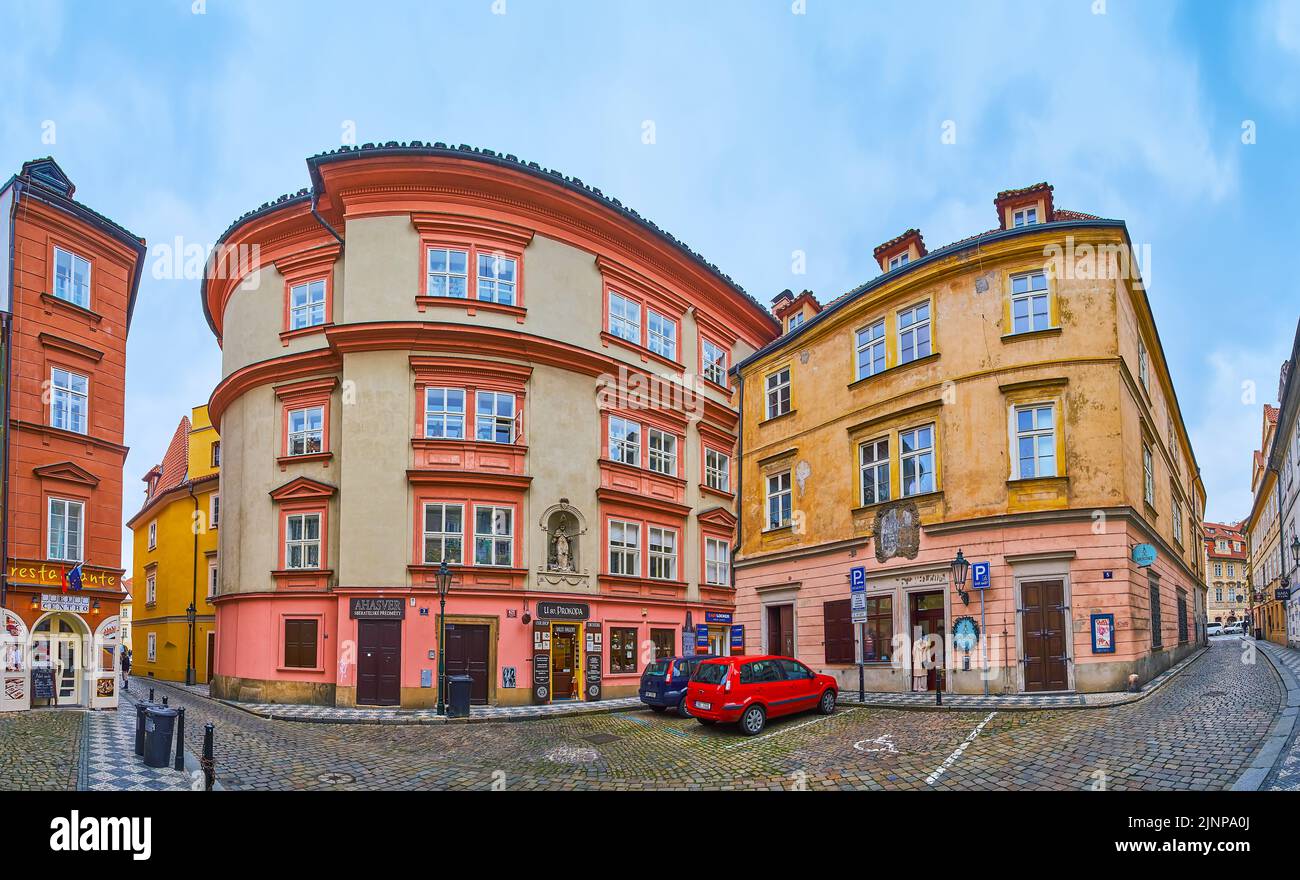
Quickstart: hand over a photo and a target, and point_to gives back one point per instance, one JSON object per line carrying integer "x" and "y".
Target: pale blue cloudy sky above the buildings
{"x": 749, "y": 129}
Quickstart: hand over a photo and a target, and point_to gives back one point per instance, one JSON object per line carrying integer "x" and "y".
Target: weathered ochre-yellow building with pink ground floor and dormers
{"x": 1006, "y": 397}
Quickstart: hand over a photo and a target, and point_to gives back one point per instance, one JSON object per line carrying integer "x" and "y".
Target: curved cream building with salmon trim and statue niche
{"x": 448, "y": 356}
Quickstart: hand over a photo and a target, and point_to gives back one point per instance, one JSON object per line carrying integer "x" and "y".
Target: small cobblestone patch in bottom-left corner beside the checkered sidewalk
{"x": 41, "y": 749}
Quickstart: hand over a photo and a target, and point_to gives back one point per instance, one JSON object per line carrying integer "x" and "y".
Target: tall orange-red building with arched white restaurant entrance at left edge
{"x": 68, "y": 284}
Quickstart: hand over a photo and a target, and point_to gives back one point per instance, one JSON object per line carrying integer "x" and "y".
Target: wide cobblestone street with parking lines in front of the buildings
{"x": 1198, "y": 732}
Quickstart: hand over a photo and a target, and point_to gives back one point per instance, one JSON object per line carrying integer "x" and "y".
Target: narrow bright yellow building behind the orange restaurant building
{"x": 176, "y": 557}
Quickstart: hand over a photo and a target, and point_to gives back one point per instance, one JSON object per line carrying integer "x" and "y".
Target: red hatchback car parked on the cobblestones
{"x": 752, "y": 690}
